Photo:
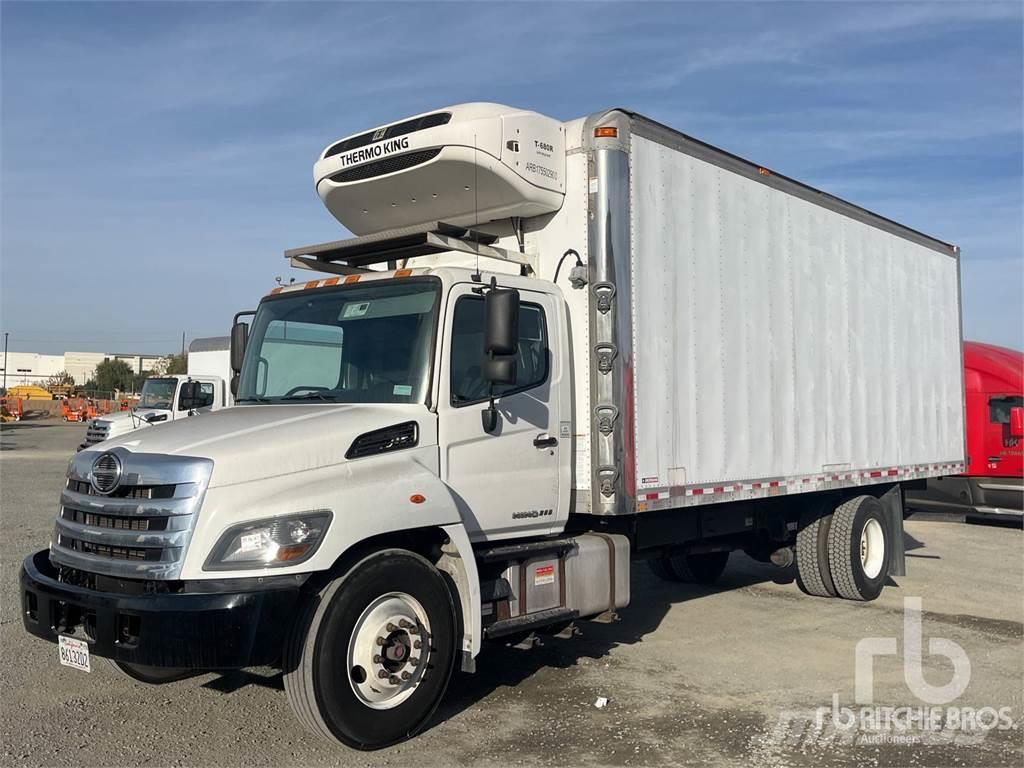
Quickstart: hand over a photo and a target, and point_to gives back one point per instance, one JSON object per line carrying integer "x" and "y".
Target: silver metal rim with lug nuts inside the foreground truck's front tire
{"x": 389, "y": 651}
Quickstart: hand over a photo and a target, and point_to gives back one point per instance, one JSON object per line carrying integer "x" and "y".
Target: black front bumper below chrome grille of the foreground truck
{"x": 224, "y": 624}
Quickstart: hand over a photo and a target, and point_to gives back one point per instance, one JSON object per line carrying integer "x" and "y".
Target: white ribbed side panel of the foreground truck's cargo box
{"x": 783, "y": 344}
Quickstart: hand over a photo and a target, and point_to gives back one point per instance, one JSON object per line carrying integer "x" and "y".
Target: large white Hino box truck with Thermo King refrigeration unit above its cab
{"x": 552, "y": 352}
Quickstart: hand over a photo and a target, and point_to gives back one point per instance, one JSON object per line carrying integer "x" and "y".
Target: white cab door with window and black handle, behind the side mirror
{"x": 515, "y": 482}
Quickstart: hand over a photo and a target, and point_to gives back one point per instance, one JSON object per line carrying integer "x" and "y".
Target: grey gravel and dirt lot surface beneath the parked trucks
{"x": 693, "y": 676}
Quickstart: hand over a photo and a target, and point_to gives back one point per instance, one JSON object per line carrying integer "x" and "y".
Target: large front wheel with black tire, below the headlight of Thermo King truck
{"x": 331, "y": 660}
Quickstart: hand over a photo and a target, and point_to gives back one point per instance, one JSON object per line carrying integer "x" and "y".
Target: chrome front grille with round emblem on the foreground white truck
{"x": 139, "y": 531}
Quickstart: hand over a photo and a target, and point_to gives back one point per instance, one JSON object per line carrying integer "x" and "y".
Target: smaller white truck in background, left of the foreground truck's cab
{"x": 163, "y": 398}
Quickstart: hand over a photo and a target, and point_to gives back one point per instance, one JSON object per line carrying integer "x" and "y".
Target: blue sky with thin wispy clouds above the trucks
{"x": 156, "y": 158}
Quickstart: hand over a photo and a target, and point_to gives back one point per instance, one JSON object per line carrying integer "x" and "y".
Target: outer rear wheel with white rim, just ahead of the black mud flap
{"x": 860, "y": 548}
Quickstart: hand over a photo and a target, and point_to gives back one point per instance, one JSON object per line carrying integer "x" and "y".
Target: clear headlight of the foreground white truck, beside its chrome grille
{"x": 272, "y": 543}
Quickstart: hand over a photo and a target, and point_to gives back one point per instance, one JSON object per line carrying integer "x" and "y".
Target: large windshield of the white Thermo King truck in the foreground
{"x": 360, "y": 344}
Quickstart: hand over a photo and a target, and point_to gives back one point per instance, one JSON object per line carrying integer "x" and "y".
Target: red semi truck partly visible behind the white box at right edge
{"x": 993, "y": 488}
